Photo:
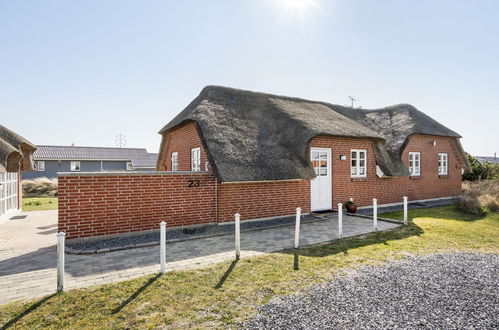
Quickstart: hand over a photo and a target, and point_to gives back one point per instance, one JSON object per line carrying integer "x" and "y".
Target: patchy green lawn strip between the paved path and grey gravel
{"x": 228, "y": 293}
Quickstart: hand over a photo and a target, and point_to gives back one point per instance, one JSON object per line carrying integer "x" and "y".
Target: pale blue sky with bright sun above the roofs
{"x": 83, "y": 72}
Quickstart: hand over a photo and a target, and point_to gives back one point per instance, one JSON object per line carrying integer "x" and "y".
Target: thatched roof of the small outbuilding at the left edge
{"x": 16, "y": 153}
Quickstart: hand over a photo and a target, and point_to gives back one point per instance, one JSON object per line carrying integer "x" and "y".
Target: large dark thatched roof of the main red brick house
{"x": 250, "y": 136}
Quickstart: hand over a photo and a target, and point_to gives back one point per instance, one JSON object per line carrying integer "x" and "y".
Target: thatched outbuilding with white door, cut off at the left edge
{"x": 16, "y": 156}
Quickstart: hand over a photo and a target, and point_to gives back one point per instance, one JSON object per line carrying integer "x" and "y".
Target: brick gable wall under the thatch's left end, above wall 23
{"x": 181, "y": 140}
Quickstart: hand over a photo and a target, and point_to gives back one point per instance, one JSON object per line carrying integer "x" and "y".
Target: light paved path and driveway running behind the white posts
{"x": 28, "y": 253}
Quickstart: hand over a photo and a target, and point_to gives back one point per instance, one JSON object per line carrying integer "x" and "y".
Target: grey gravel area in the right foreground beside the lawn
{"x": 451, "y": 291}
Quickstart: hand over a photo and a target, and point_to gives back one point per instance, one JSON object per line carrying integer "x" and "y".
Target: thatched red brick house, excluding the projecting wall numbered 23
{"x": 260, "y": 146}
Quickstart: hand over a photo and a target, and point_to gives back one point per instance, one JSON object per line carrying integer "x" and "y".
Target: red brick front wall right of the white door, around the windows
{"x": 391, "y": 190}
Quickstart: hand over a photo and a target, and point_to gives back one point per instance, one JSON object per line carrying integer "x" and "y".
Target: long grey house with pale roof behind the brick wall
{"x": 53, "y": 159}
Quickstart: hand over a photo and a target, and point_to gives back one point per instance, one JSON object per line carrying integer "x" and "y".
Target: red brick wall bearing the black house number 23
{"x": 94, "y": 205}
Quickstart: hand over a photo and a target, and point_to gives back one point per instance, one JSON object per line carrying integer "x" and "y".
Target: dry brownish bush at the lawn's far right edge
{"x": 479, "y": 195}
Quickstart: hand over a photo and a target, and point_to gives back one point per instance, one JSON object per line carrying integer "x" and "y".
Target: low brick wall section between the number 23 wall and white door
{"x": 255, "y": 200}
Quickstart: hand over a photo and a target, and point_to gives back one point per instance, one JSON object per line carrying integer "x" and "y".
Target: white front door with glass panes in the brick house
{"x": 321, "y": 186}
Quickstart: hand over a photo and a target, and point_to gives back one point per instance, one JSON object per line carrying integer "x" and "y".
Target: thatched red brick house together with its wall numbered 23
{"x": 232, "y": 151}
